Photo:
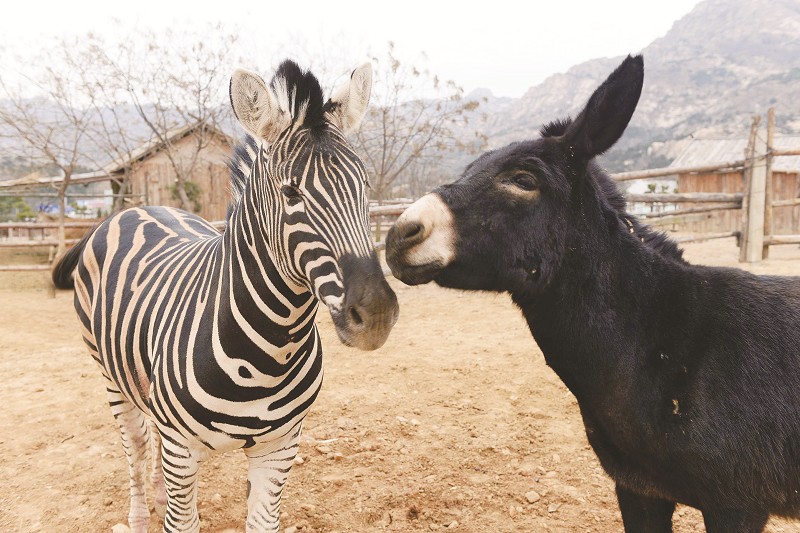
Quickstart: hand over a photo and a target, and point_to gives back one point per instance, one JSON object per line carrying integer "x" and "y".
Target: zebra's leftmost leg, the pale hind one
{"x": 133, "y": 429}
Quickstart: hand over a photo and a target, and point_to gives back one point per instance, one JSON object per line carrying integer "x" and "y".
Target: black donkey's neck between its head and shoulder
{"x": 602, "y": 315}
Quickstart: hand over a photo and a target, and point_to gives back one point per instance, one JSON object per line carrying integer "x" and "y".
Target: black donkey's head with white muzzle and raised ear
{"x": 519, "y": 213}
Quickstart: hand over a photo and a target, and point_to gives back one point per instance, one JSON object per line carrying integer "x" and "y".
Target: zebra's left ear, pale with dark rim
{"x": 256, "y": 107}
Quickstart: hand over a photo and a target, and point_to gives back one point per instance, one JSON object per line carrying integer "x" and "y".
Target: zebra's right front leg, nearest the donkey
{"x": 269, "y": 465}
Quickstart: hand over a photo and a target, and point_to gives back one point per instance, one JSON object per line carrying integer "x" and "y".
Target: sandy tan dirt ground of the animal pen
{"x": 456, "y": 423}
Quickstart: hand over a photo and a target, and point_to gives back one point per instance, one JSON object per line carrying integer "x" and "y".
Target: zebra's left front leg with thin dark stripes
{"x": 180, "y": 468}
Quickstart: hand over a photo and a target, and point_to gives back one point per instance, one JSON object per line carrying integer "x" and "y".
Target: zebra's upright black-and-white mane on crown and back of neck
{"x": 299, "y": 93}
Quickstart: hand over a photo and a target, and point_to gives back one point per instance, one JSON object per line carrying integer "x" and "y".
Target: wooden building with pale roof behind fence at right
{"x": 707, "y": 152}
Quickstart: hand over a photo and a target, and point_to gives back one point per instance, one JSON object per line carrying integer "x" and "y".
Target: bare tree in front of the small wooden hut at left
{"x": 174, "y": 81}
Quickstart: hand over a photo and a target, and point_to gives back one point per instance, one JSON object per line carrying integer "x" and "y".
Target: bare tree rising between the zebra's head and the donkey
{"x": 414, "y": 120}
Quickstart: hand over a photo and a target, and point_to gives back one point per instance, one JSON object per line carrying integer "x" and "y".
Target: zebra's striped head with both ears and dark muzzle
{"x": 306, "y": 193}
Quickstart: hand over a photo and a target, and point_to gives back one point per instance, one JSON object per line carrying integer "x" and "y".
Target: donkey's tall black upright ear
{"x": 608, "y": 111}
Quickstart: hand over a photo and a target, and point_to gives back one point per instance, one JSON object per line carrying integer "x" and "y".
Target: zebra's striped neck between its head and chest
{"x": 260, "y": 309}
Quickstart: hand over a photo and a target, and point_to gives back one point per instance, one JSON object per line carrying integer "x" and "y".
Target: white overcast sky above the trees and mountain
{"x": 504, "y": 45}
